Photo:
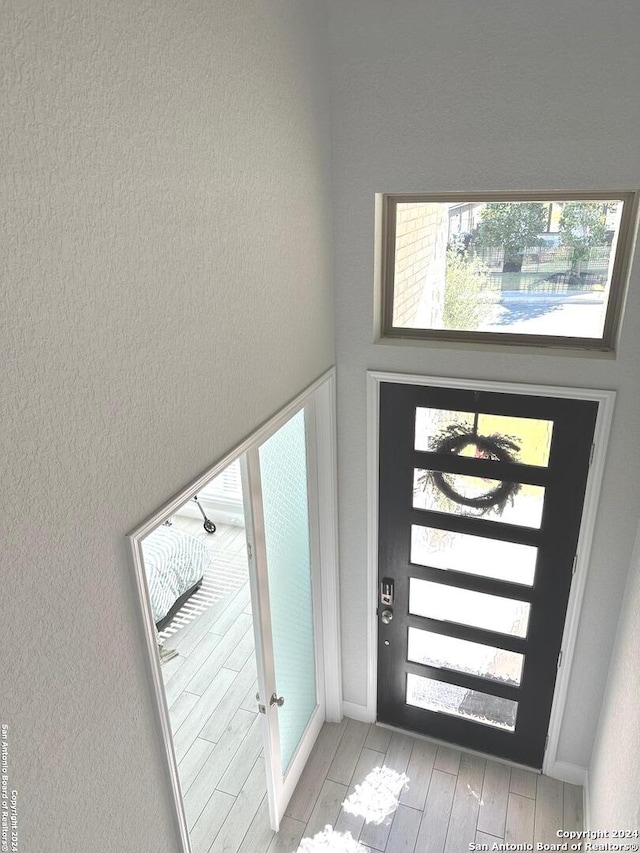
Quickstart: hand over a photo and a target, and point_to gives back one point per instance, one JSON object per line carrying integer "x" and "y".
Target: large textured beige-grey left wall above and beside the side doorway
{"x": 166, "y": 288}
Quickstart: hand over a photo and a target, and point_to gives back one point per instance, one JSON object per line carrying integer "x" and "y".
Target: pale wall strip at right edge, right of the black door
{"x": 614, "y": 779}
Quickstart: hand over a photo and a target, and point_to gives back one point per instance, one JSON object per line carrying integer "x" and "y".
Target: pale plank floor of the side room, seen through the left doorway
{"x": 210, "y": 689}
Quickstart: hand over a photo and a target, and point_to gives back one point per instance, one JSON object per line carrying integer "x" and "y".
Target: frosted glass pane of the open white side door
{"x": 283, "y": 469}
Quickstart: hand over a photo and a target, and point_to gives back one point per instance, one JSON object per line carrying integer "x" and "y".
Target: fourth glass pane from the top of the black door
{"x": 466, "y": 607}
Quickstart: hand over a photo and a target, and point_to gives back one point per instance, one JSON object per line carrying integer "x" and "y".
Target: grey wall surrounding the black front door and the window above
{"x": 452, "y": 96}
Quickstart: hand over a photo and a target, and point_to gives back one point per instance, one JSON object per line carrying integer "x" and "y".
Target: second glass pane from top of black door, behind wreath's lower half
{"x": 523, "y": 508}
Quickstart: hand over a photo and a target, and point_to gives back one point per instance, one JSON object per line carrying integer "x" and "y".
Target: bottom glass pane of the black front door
{"x": 460, "y": 702}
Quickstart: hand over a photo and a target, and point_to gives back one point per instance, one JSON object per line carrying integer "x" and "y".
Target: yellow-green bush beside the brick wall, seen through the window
{"x": 467, "y": 293}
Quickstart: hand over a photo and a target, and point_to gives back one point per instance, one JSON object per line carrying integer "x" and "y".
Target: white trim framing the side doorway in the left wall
{"x": 321, "y": 394}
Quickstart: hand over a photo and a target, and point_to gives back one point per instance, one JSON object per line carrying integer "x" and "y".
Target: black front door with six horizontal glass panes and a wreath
{"x": 481, "y": 498}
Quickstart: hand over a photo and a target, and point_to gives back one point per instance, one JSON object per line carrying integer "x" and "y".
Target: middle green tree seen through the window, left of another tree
{"x": 515, "y": 225}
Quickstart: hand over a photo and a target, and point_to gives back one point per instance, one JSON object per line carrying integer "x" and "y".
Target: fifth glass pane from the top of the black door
{"x": 445, "y": 652}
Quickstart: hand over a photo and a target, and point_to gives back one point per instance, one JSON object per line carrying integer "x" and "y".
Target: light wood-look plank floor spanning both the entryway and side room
{"x": 364, "y": 787}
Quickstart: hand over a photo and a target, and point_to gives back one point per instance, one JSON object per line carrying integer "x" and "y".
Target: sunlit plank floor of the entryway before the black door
{"x": 394, "y": 792}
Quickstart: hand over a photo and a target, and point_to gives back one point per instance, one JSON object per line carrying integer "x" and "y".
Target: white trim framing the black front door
{"x": 606, "y": 400}
